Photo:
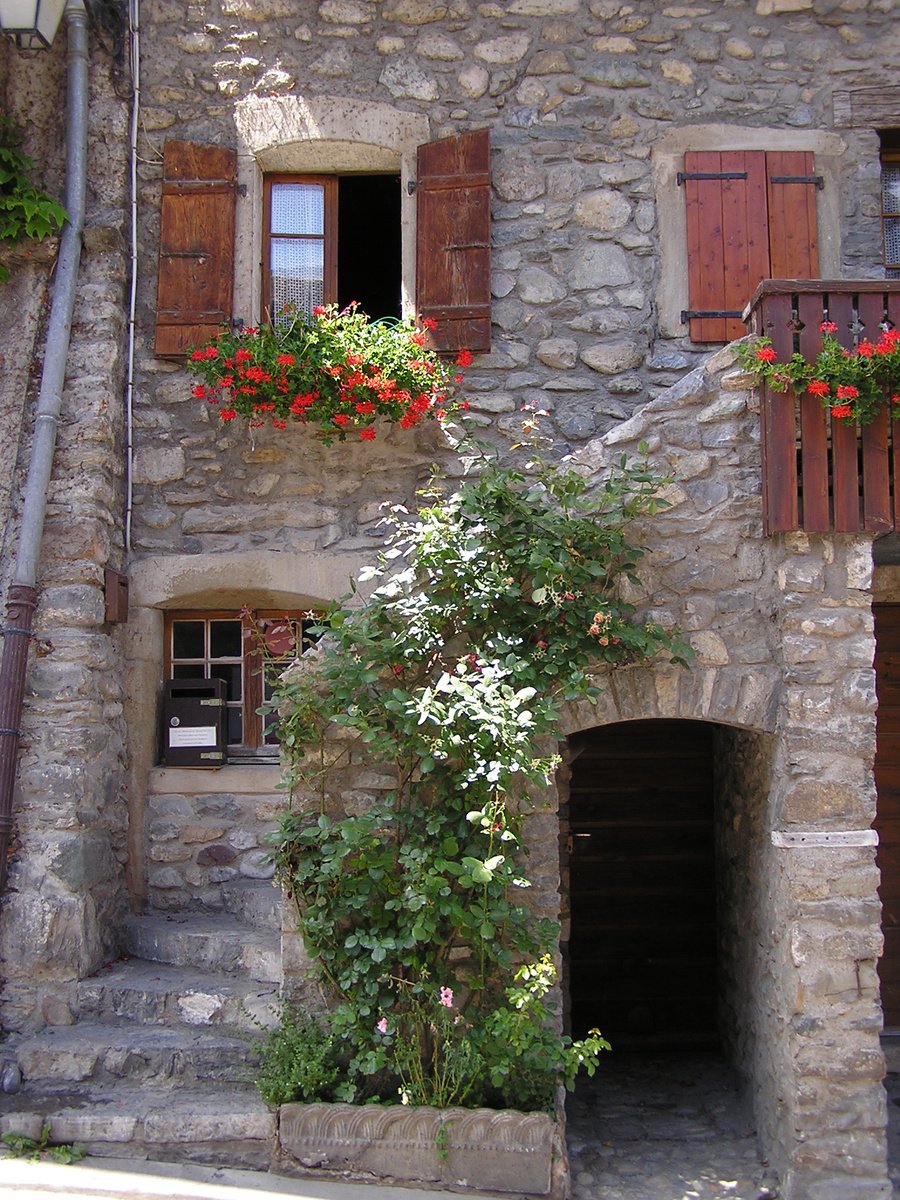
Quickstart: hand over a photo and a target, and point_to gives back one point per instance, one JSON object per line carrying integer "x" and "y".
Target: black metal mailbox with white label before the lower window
{"x": 194, "y": 723}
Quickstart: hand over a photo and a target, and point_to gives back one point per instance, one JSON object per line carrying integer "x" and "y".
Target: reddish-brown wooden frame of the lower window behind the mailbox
{"x": 254, "y": 745}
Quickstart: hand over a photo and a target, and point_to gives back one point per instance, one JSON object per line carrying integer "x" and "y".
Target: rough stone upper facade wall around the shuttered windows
{"x": 579, "y": 98}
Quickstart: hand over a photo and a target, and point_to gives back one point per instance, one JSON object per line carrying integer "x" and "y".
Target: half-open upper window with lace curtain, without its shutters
{"x": 332, "y": 239}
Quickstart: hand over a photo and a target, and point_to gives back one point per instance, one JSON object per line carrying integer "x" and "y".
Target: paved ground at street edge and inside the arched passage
{"x": 649, "y": 1129}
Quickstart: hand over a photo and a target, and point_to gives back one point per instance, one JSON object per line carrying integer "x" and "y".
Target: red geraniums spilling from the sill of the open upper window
{"x": 338, "y": 370}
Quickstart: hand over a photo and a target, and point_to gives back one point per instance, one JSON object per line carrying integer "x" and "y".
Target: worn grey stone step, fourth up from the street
{"x": 215, "y": 943}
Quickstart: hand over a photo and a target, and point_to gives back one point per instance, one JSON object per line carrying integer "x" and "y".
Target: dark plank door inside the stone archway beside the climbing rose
{"x": 641, "y": 959}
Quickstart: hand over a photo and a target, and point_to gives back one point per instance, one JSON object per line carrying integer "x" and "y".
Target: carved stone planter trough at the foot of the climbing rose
{"x": 449, "y": 1149}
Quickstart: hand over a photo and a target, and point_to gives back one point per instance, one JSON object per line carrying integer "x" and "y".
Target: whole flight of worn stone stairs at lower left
{"x": 160, "y": 1061}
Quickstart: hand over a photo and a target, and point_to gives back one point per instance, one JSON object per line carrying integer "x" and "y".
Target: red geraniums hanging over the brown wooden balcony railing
{"x": 851, "y": 385}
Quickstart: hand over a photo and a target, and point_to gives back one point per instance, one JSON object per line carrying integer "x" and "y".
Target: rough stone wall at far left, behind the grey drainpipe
{"x": 67, "y": 897}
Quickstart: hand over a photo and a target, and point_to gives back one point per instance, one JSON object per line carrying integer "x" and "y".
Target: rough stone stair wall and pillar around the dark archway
{"x": 784, "y": 639}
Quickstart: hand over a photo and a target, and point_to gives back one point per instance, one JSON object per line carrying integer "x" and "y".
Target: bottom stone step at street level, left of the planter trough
{"x": 227, "y": 1126}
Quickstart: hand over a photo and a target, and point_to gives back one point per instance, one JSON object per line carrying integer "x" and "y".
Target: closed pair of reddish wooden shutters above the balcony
{"x": 751, "y": 215}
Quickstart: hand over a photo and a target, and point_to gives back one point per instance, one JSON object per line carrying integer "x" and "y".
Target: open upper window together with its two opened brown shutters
{"x": 331, "y": 235}
